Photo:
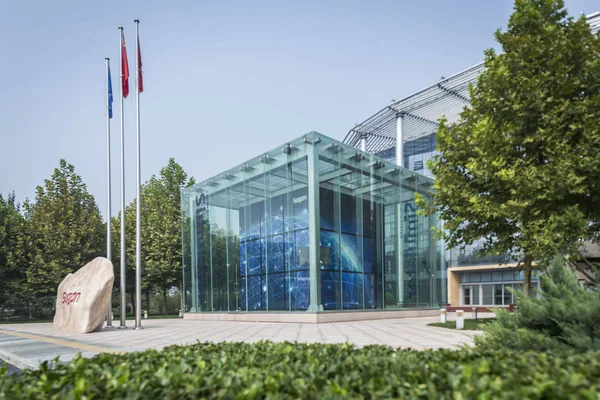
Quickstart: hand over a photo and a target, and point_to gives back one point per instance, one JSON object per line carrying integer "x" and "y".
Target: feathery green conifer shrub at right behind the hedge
{"x": 565, "y": 317}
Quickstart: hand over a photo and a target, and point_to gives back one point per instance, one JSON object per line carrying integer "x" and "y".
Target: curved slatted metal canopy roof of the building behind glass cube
{"x": 422, "y": 110}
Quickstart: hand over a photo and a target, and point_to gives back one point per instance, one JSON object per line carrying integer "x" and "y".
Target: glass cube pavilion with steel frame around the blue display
{"x": 313, "y": 225}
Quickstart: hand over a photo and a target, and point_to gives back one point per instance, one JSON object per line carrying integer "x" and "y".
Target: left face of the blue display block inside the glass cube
{"x": 269, "y": 238}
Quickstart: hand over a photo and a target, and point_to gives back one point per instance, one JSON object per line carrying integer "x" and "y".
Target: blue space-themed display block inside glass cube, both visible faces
{"x": 264, "y": 248}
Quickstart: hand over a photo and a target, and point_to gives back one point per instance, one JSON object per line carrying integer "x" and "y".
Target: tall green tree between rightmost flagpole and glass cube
{"x": 161, "y": 228}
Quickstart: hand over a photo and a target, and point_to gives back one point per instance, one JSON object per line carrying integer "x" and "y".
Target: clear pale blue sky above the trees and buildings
{"x": 224, "y": 80}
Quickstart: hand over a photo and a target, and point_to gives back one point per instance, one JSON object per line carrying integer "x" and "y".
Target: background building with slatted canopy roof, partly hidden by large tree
{"x": 403, "y": 132}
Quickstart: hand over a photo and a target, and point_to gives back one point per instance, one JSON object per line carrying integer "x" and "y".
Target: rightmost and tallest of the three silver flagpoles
{"x": 138, "y": 210}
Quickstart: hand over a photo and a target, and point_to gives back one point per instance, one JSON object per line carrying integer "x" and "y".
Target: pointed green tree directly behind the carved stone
{"x": 65, "y": 230}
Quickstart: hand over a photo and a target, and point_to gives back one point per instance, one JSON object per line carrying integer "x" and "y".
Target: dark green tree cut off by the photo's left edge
{"x": 12, "y": 250}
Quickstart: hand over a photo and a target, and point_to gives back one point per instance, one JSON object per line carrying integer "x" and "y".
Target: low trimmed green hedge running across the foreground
{"x": 310, "y": 371}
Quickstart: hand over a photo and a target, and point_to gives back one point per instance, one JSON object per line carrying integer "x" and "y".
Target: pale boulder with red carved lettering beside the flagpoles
{"x": 83, "y": 298}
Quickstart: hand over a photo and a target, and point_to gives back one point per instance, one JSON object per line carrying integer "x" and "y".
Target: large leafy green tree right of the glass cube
{"x": 520, "y": 169}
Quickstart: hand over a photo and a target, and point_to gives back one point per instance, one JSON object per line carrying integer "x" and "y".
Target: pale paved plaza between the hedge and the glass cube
{"x": 26, "y": 345}
